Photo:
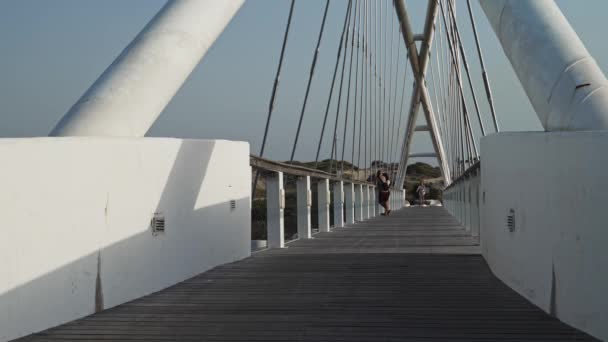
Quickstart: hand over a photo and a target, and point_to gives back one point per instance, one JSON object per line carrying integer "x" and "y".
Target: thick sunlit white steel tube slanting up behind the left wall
{"x": 130, "y": 95}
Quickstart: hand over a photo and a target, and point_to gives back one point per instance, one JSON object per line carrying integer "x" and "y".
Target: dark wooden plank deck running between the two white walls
{"x": 375, "y": 281}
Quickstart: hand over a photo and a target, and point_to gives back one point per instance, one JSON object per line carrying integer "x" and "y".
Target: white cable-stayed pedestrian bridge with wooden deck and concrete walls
{"x": 111, "y": 235}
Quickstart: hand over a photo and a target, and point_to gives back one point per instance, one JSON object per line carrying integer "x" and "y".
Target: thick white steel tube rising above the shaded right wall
{"x": 564, "y": 83}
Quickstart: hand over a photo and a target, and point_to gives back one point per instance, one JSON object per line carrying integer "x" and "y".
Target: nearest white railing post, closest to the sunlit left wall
{"x": 275, "y": 206}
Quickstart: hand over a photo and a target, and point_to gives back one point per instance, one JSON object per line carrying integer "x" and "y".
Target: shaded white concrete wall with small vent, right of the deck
{"x": 557, "y": 256}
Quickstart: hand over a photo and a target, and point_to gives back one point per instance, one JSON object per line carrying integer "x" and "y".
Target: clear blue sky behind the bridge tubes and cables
{"x": 51, "y": 51}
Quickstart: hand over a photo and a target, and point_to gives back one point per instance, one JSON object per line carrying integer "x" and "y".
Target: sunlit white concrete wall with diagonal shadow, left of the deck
{"x": 75, "y": 221}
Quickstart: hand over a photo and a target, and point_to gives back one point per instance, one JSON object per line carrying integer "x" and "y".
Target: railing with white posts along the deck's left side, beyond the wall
{"x": 349, "y": 200}
